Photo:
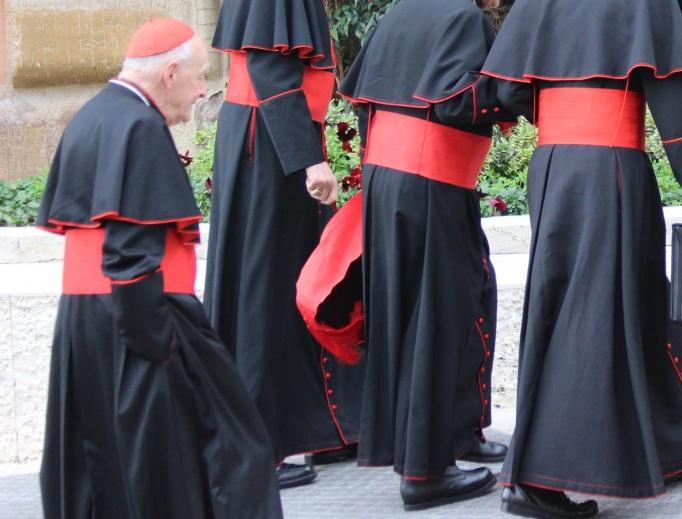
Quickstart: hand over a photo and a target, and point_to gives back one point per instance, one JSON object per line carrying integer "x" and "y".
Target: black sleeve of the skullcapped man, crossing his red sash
{"x": 132, "y": 255}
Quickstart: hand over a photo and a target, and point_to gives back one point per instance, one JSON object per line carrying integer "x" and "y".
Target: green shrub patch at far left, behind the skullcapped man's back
{"x": 20, "y": 200}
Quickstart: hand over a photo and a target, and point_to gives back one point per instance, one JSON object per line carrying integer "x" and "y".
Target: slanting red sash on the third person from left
{"x": 427, "y": 149}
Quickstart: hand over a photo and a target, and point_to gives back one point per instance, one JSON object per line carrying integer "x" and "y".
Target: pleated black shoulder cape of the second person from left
{"x": 279, "y": 25}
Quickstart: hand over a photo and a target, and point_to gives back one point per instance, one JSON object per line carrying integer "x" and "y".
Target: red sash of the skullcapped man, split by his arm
{"x": 83, "y": 264}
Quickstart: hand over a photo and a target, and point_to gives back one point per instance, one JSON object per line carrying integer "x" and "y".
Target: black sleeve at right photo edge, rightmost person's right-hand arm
{"x": 663, "y": 97}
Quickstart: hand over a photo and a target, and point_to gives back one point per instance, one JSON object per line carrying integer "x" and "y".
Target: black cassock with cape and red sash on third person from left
{"x": 430, "y": 294}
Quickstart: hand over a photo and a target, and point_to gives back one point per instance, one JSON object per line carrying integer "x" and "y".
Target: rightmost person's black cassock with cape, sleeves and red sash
{"x": 599, "y": 405}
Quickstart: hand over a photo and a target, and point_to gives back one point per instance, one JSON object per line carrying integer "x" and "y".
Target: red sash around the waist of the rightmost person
{"x": 592, "y": 117}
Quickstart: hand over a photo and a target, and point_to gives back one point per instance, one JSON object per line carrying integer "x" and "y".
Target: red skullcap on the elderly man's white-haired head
{"x": 158, "y": 35}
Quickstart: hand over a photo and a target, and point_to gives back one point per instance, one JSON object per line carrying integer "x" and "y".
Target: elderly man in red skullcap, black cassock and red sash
{"x": 147, "y": 416}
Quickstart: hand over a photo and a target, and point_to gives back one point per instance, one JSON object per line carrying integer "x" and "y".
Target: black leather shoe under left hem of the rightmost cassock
{"x": 528, "y": 501}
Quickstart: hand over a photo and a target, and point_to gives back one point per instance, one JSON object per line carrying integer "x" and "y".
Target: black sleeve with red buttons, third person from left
{"x": 477, "y": 105}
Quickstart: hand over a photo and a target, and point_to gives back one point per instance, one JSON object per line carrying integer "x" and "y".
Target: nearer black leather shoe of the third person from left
{"x": 455, "y": 485}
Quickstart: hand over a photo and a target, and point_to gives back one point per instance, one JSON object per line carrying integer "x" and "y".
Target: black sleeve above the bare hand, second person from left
{"x": 277, "y": 80}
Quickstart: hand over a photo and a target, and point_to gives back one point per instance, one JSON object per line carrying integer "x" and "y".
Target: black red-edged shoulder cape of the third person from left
{"x": 422, "y": 52}
